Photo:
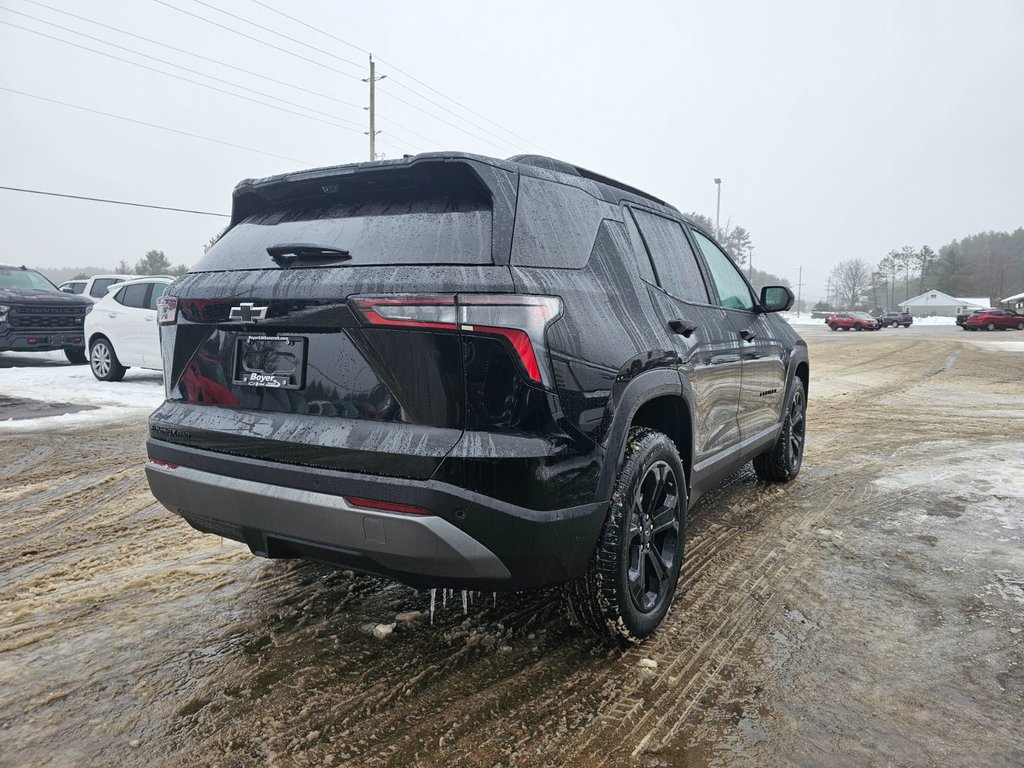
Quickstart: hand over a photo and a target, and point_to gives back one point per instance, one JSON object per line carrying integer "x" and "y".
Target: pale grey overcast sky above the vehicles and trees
{"x": 839, "y": 130}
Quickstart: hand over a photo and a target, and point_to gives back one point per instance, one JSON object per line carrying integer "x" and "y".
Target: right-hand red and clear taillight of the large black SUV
{"x": 522, "y": 320}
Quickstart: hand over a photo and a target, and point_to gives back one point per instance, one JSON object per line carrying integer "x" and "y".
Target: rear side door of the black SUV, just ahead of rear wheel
{"x": 699, "y": 330}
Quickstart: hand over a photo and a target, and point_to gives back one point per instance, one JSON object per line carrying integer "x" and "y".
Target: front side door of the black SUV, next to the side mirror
{"x": 762, "y": 353}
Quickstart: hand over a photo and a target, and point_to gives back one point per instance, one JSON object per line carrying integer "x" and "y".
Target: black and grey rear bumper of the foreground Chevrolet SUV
{"x": 471, "y": 542}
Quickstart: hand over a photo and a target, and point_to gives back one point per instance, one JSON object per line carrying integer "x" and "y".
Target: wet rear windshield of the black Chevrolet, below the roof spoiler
{"x": 435, "y": 231}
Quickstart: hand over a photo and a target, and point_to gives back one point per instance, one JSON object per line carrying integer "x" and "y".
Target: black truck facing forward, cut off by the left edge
{"x": 35, "y": 317}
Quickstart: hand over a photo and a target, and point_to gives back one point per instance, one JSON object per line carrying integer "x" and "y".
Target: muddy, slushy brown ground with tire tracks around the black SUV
{"x": 869, "y": 614}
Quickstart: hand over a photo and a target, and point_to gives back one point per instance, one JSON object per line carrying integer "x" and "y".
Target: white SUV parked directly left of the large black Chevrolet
{"x": 122, "y": 331}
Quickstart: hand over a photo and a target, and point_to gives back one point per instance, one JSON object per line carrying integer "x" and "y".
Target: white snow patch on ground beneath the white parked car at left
{"x": 49, "y": 377}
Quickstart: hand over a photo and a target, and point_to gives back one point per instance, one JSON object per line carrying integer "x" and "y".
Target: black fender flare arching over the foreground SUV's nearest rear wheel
{"x": 644, "y": 389}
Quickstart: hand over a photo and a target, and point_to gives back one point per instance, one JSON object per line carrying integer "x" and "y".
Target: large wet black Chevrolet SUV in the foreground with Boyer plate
{"x": 456, "y": 371}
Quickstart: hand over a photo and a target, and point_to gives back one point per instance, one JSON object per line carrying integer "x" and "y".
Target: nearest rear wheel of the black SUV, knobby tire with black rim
{"x": 631, "y": 581}
